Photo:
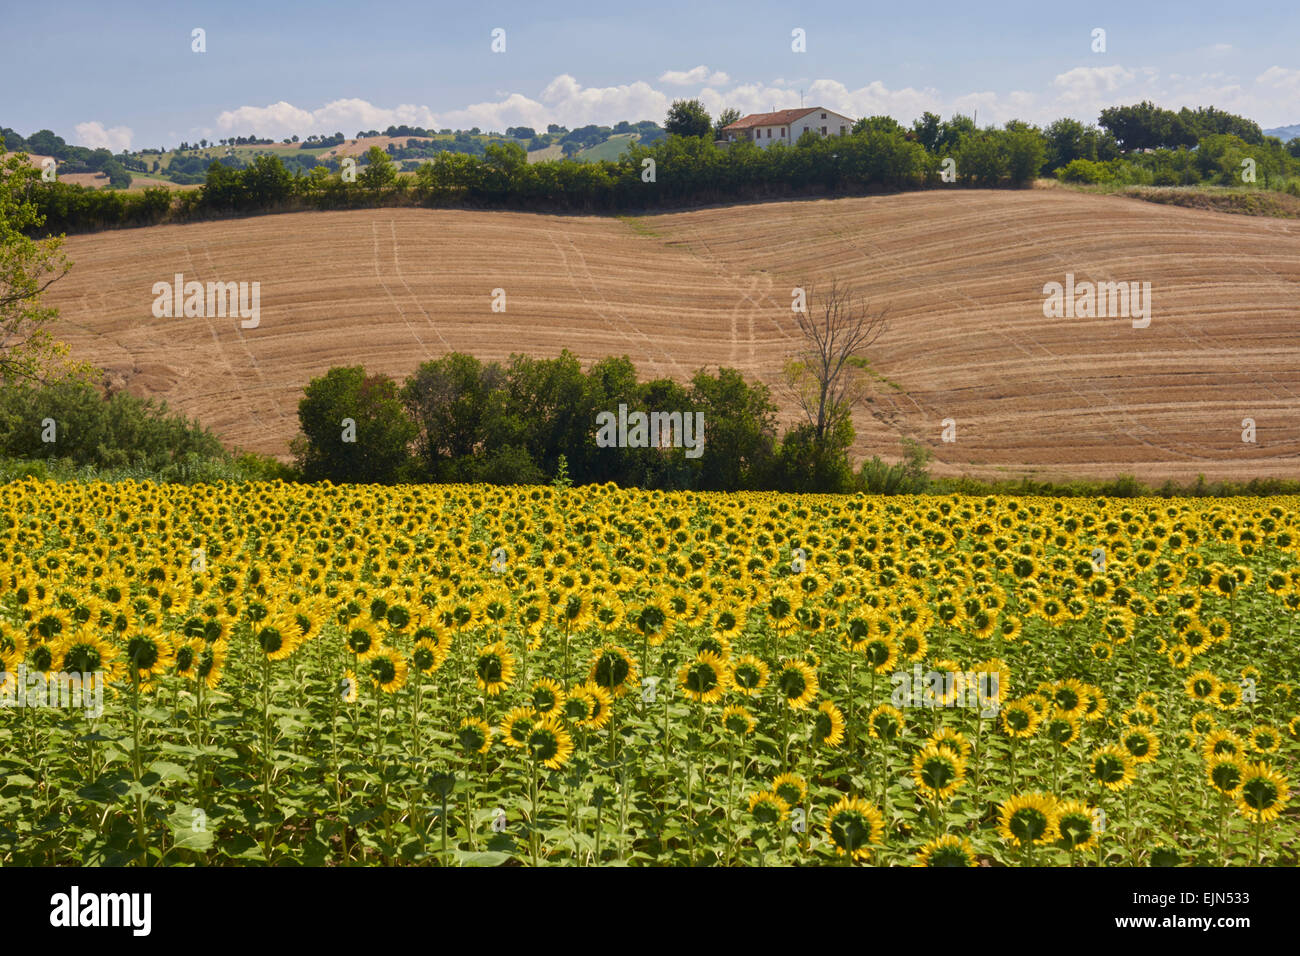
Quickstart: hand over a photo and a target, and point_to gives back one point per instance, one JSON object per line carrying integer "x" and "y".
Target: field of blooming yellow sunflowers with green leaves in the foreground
{"x": 473, "y": 676}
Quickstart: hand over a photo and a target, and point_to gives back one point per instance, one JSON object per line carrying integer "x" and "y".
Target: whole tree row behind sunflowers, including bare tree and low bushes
{"x": 460, "y": 419}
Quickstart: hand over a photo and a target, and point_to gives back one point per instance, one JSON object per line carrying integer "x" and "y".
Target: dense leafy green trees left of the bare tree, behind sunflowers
{"x": 528, "y": 421}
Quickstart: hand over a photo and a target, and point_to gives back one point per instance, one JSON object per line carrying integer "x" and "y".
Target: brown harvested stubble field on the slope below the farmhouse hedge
{"x": 961, "y": 272}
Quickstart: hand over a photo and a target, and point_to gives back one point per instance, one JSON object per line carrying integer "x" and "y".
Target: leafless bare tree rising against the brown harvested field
{"x": 830, "y": 374}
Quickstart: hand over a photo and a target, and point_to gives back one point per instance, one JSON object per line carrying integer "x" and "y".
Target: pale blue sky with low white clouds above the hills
{"x": 127, "y": 75}
